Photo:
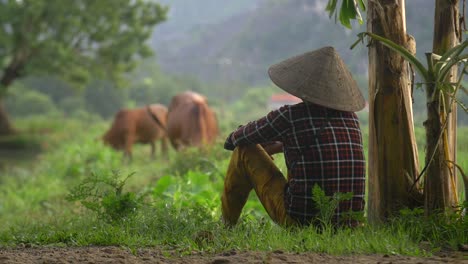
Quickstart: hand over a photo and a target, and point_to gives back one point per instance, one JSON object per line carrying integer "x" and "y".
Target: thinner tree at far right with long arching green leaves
{"x": 442, "y": 84}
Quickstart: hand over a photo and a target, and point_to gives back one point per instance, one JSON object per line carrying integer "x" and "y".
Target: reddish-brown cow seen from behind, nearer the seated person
{"x": 190, "y": 121}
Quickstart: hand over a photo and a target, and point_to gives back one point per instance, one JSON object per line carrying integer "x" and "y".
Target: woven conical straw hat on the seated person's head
{"x": 320, "y": 77}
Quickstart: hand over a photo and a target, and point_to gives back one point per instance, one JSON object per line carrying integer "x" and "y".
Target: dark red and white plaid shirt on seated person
{"x": 321, "y": 146}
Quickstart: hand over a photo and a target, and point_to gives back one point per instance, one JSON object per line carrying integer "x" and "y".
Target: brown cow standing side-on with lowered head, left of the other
{"x": 141, "y": 125}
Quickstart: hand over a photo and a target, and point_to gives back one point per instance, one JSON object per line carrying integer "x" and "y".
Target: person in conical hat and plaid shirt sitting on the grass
{"x": 320, "y": 138}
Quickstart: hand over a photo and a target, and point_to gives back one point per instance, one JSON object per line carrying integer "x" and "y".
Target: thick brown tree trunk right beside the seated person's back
{"x": 393, "y": 157}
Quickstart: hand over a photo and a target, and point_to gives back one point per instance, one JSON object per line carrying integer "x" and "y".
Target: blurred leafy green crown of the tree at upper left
{"x": 74, "y": 40}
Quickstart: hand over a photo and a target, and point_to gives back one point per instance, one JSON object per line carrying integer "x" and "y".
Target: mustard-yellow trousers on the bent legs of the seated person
{"x": 250, "y": 168}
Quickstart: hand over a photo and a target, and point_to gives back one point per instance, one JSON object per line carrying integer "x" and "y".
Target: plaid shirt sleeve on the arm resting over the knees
{"x": 268, "y": 128}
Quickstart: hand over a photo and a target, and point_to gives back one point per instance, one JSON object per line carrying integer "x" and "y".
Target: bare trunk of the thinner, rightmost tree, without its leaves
{"x": 440, "y": 189}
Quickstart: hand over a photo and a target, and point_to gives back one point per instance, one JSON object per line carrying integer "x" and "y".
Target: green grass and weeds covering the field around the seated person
{"x": 179, "y": 207}
